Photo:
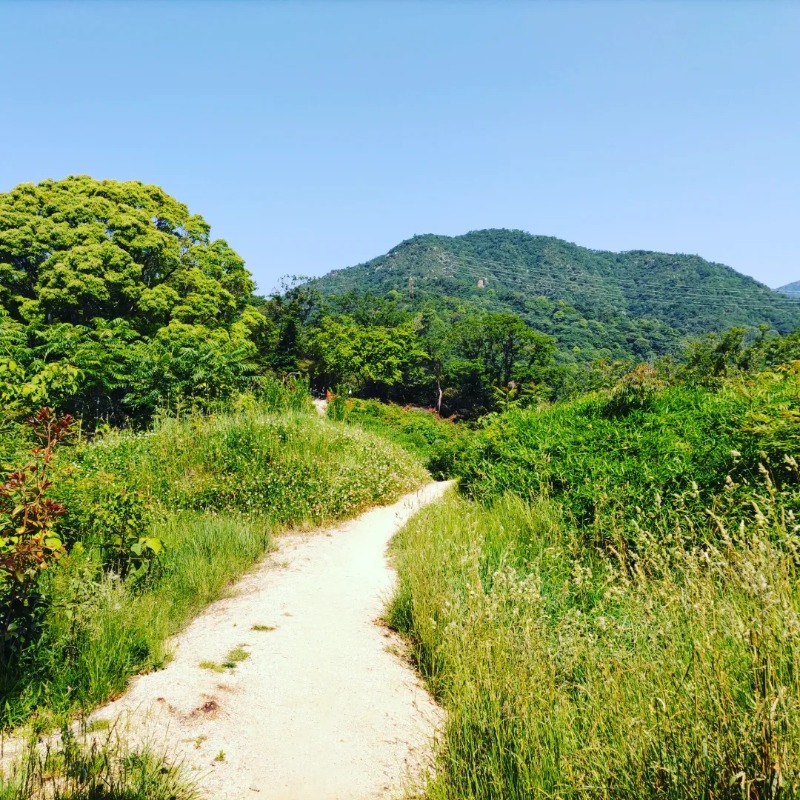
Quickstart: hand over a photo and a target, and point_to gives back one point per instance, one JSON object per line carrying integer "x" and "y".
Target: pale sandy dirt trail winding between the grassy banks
{"x": 323, "y": 708}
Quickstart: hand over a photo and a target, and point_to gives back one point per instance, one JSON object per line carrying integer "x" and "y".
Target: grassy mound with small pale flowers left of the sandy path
{"x": 213, "y": 490}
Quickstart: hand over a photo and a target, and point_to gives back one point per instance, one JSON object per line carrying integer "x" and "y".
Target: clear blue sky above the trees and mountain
{"x": 313, "y": 136}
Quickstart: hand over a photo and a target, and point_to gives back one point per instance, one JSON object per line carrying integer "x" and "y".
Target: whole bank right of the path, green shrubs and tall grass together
{"x": 613, "y": 610}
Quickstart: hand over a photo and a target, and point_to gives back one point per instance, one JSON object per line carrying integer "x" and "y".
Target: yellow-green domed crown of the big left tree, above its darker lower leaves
{"x": 78, "y": 249}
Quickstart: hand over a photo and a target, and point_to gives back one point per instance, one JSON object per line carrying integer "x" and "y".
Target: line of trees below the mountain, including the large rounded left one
{"x": 116, "y": 303}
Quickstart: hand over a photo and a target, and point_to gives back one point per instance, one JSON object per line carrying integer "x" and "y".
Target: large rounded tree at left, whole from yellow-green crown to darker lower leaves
{"x": 119, "y": 283}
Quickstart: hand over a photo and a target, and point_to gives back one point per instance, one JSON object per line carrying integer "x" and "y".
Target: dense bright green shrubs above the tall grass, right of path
{"x": 608, "y": 461}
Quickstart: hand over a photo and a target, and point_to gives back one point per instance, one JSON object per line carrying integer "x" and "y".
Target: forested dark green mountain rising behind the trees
{"x": 595, "y": 303}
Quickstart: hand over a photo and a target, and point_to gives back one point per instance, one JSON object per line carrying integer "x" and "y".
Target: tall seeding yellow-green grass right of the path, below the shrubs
{"x": 570, "y": 674}
